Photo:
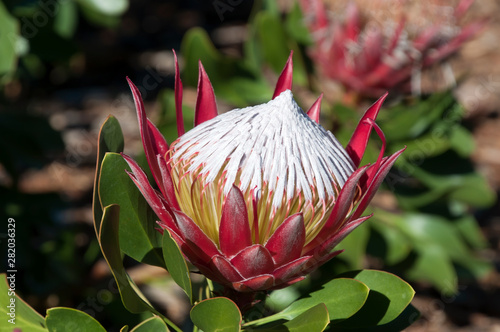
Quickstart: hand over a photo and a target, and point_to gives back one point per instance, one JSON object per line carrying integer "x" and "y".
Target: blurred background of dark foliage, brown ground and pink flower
{"x": 63, "y": 65}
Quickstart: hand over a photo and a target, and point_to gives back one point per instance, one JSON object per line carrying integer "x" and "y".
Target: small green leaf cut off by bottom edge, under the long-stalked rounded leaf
{"x": 314, "y": 319}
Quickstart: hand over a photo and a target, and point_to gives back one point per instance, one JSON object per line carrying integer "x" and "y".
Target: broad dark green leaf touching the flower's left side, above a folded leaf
{"x": 138, "y": 237}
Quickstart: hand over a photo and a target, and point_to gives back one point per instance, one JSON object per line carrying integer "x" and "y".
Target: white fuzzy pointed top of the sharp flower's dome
{"x": 274, "y": 145}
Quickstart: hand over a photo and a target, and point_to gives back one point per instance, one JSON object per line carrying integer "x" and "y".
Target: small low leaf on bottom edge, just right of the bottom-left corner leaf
{"x": 68, "y": 319}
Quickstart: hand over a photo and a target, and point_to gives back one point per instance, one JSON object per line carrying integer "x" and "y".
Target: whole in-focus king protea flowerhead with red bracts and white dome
{"x": 258, "y": 197}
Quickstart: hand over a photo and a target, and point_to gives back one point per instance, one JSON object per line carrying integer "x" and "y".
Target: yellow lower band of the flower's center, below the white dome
{"x": 203, "y": 203}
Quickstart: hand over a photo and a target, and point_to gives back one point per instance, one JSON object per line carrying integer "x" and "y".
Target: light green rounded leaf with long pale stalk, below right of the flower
{"x": 342, "y": 297}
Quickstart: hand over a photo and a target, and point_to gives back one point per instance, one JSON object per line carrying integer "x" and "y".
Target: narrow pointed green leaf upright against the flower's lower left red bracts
{"x": 176, "y": 264}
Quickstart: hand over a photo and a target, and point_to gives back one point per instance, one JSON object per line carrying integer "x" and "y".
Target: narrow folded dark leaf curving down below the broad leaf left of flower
{"x": 132, "y": 297}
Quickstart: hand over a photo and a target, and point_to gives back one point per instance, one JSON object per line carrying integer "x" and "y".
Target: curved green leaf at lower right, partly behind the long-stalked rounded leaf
{"x": 389, "y": 296}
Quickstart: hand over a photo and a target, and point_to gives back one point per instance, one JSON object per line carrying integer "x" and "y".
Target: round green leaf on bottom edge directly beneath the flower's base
{"x": 217, "y": 314}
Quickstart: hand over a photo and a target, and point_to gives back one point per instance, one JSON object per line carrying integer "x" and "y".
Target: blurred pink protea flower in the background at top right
{"x": 371, "y": 55}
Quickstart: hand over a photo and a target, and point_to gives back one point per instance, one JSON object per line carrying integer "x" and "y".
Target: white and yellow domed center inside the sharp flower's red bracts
{"x": 282, "y": 161}
